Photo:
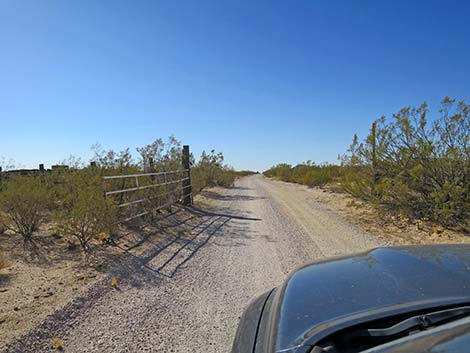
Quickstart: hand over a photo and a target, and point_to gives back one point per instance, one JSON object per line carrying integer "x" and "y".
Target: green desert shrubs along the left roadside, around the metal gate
{"x": 71, "y": 199}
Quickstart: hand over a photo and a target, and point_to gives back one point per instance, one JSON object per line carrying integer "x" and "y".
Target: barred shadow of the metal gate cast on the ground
{"x": 162, "y": 247}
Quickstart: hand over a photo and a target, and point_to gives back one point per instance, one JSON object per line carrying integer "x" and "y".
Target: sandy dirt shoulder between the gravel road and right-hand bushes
{"x": 399, "y": 230}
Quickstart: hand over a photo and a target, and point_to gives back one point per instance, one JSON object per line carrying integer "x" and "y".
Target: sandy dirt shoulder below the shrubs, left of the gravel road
{"x": 34, "y": 283}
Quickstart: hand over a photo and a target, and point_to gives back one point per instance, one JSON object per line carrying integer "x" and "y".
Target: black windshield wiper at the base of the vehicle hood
{"x": 418, "y": 321}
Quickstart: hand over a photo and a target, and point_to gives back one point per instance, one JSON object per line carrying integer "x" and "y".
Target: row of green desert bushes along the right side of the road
{"x": 409, "y": 165}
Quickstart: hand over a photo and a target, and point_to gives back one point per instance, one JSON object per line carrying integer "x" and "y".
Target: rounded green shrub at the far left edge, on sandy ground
{"x": 25, "y": 202}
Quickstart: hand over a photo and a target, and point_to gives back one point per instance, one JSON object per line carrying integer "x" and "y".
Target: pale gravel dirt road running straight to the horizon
{"x": 197, "y": 286}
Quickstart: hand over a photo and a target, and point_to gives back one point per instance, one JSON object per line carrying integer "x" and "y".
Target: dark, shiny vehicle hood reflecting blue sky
{"x": 321, "y": 298}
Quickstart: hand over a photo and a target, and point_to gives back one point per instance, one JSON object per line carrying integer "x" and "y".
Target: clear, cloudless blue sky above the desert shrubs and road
{"x": 262, "y": 81}
